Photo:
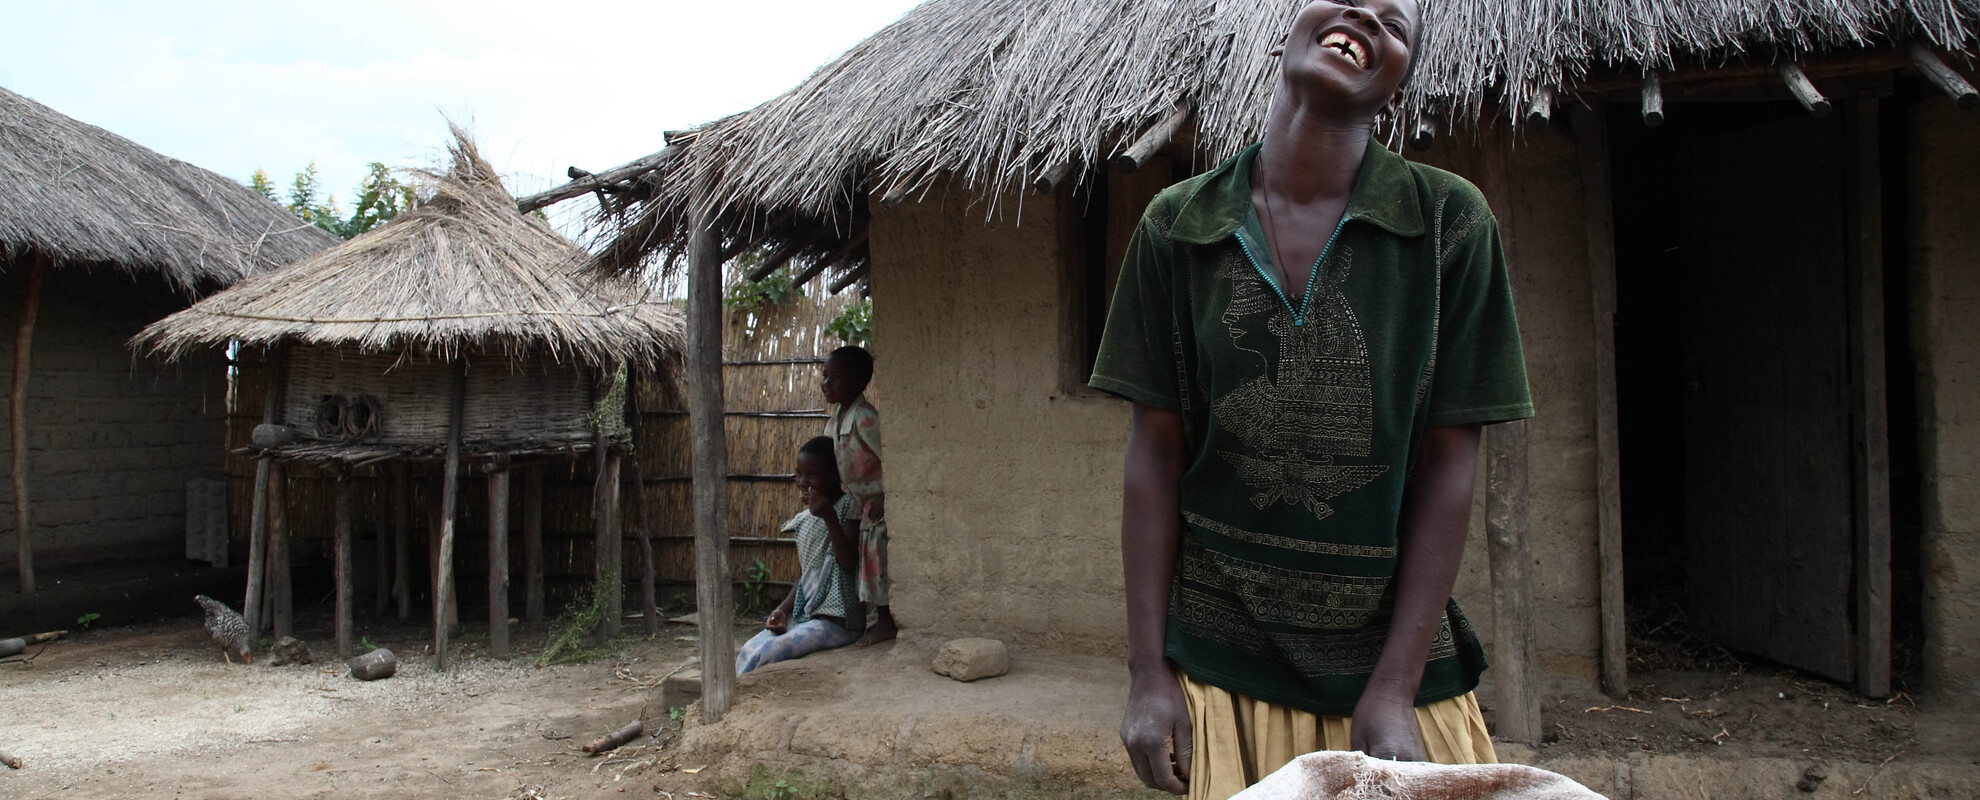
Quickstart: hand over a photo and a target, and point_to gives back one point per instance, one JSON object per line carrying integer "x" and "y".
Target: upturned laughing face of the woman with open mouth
{"x": 1351, "y": 50}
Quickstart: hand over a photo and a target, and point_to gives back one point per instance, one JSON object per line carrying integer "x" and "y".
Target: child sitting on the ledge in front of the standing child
{"x": 823, "y": 609}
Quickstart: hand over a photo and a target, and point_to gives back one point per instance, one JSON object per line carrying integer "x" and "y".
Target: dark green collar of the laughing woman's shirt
{"x": 1385, "y": 195}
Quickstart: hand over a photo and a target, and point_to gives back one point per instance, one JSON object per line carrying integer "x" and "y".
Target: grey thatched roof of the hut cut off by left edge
{"x": 84, "y": 195}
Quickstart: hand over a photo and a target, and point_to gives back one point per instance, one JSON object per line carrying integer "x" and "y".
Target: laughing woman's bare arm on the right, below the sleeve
{"x": 1436, "y": 514}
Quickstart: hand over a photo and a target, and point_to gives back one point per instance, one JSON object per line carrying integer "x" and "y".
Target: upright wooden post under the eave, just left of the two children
{"x": 710, "y": 468}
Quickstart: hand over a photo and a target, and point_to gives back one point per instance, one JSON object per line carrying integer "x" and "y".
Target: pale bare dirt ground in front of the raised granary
{"x": 155, "y": 712}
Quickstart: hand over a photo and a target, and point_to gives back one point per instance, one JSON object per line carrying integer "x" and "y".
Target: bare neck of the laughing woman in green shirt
{"x": 1310, "y": 155}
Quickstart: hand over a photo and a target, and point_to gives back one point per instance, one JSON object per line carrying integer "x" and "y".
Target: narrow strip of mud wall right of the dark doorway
{"x": 1945, "y": 264}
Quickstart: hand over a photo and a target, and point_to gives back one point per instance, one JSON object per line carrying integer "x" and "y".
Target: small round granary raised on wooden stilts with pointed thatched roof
{"x": 460, "y": 336}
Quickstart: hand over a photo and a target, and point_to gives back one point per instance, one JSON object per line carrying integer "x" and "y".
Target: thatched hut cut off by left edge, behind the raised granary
{"x": 98, "y": 239}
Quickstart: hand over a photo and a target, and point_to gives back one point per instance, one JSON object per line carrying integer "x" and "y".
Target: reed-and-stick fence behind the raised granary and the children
{"x": 773, "y": 407}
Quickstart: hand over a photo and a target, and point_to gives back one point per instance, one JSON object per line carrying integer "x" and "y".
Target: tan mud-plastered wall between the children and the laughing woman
{"x": 1003, "y": 488}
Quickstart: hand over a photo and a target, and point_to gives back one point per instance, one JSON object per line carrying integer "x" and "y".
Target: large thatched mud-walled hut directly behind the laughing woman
{"x": 1745, "y": 272}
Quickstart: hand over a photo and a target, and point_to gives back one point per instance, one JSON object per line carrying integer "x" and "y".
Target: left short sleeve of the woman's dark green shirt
{"x": 1139, "y": 355}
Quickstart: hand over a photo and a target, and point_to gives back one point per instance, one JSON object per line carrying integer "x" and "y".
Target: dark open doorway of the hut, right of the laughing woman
{"x": 1735, "y": 379}
